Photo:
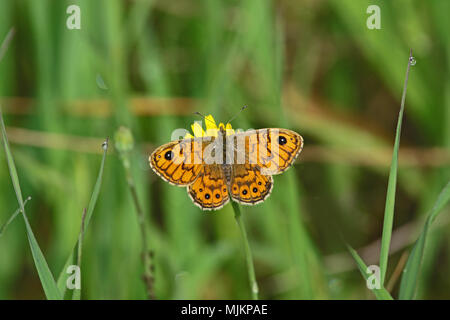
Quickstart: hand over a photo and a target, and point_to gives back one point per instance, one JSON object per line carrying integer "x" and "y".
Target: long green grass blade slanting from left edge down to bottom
{"x": 45, "y": 275}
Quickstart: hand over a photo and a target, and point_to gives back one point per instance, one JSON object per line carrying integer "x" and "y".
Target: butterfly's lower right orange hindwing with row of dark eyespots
{"x": 248, "y": 185}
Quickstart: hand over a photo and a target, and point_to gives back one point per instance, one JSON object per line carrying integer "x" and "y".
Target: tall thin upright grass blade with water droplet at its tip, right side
{"x": 392, "y": 184}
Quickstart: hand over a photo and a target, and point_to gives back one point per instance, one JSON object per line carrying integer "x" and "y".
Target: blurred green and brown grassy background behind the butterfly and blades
{"x": 311, "y": 66}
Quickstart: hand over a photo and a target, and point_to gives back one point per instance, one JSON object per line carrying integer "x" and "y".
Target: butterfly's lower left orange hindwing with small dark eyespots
{"x": 209, "y": 191}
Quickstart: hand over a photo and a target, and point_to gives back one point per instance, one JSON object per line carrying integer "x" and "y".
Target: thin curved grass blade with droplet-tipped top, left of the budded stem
{"x": 75, "y": 256}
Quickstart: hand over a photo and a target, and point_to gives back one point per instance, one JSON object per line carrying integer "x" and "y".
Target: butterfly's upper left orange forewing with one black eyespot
{"x": 178, "y": 162}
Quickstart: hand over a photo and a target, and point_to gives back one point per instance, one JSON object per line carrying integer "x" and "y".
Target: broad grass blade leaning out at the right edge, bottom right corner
{"x": 412, "y": 268}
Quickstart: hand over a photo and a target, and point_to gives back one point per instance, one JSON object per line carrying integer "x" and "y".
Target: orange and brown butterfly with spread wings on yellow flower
{"x": 221, "y": 163}
